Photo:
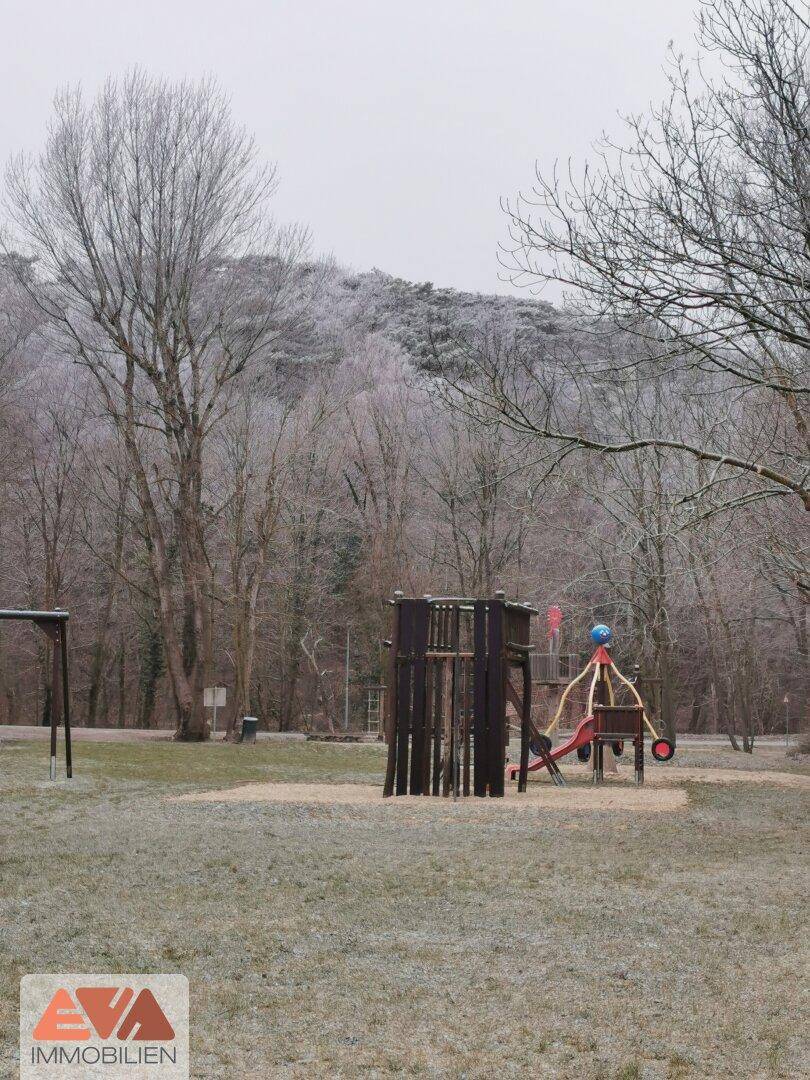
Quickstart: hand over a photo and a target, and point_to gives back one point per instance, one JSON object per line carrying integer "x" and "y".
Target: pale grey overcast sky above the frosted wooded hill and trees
{"x": 397, "y": 125}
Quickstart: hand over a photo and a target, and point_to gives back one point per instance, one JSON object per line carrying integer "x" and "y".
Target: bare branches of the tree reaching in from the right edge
{"x": 692, "y": 236}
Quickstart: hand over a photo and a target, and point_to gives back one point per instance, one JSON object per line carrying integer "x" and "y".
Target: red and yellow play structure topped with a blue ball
{"x": 605, "y": 723}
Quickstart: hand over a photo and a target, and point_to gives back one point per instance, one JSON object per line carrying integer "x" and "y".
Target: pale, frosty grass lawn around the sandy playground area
{"x": 437, "y": 941}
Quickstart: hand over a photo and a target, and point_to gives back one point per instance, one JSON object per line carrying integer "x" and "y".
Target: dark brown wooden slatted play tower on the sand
{"x": 450, "y": 667}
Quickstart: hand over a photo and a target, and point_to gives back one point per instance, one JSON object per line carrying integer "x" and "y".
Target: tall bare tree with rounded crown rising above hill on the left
{"x": 142, "y": 212}
